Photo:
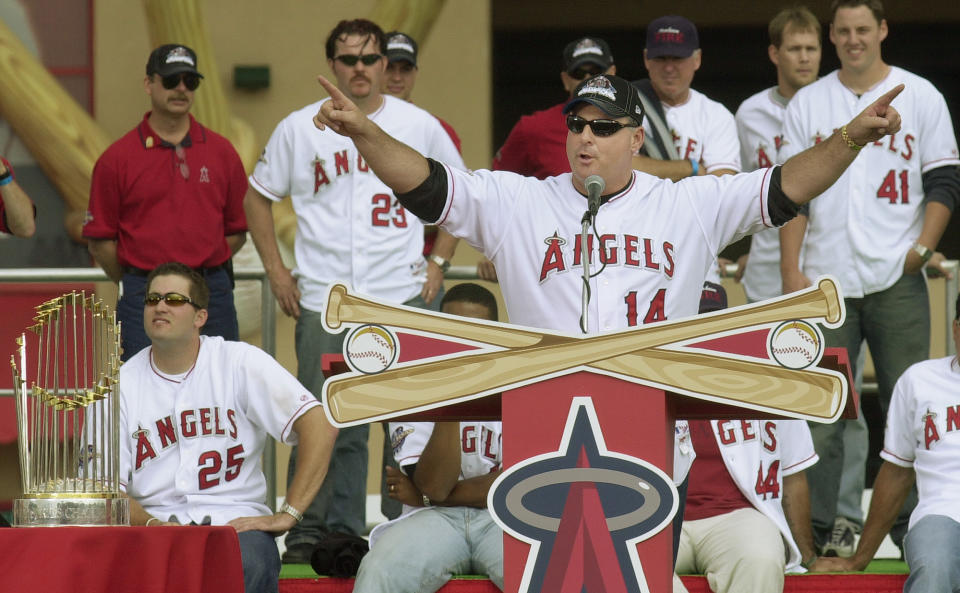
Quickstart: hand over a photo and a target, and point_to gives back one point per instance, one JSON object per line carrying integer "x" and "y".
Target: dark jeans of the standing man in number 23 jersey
{"x": 341, "y": 503}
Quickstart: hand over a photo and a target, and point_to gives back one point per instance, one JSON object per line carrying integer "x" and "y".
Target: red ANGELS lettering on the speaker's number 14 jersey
{"x": 615, "y": 249}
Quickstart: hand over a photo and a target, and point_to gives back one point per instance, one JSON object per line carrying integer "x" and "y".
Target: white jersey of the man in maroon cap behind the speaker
{"x": 704, "y": 130}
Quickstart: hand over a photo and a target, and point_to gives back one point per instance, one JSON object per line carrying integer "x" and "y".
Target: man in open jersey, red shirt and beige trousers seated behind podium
{"x": 747, "y": 515}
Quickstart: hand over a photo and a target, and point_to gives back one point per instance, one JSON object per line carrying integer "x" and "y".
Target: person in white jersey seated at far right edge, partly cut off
{"x": 922, "y": 445}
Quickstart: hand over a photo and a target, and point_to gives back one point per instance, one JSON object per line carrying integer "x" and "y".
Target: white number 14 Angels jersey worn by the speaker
{"x": 658, "y": 239}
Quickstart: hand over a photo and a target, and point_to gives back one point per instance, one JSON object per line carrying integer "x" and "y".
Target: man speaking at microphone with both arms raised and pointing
{"x": 656, "y": 239}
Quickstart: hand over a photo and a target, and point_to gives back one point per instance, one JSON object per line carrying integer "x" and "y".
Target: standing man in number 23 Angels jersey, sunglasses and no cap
{"x": 350, "y": 228}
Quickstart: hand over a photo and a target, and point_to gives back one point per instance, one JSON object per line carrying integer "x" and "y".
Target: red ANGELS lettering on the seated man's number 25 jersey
{"x": 189, "y": 424}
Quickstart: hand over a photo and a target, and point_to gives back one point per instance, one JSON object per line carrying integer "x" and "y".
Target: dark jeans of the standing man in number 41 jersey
{"x": 896, "y": 325}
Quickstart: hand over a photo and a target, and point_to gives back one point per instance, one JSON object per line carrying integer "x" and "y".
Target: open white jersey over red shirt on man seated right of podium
{"x": 758, "y": 454}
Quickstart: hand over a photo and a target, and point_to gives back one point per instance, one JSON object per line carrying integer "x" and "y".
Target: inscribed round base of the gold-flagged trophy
{"x": 65, "y": 511}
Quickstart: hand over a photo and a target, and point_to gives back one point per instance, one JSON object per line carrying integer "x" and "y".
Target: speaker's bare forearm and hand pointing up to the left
{"x": 396, "y": 164}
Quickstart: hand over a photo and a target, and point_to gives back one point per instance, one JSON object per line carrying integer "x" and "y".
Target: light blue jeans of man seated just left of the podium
{"x": 423, "y": 551}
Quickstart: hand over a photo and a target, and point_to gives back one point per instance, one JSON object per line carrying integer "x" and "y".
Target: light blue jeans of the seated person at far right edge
{"x": 933, "y": 553}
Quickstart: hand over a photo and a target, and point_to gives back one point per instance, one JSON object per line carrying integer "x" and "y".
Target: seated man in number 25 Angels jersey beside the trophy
{"x": 196, "y": 412}
